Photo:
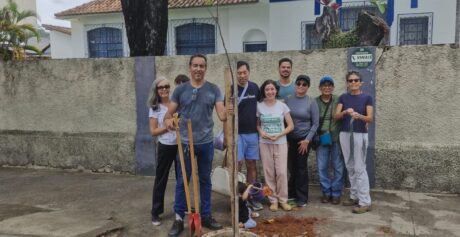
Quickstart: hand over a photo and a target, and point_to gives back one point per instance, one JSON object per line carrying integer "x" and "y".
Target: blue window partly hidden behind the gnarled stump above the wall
{"x": 348, "y": 16}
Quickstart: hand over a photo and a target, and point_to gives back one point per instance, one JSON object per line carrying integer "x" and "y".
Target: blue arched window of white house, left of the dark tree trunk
{"x": 105, "y": 42}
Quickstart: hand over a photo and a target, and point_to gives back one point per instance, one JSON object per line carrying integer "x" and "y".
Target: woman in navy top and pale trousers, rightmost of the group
{"x": 355, "y": 109}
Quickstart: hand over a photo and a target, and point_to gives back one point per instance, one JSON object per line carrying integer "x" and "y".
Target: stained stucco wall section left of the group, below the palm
{"x": 68, "y": 113}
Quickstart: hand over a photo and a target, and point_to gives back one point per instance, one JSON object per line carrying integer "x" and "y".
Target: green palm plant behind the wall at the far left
{"x": 14, "y": 35}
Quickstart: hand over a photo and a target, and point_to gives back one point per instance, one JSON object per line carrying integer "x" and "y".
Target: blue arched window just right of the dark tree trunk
{"x": 195, "y": 38}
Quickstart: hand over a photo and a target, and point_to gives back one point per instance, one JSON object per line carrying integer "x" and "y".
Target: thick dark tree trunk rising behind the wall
{"x": 146, "y": 26}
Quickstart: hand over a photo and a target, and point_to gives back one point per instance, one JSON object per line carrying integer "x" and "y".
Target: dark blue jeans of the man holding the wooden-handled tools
{"x": 204, "y": 154}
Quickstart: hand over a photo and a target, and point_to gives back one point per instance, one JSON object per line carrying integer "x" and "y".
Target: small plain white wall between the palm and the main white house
{"x": 60, "y": 45}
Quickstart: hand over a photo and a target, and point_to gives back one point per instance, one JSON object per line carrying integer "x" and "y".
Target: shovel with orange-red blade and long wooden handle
{"x": 194, "y": 219}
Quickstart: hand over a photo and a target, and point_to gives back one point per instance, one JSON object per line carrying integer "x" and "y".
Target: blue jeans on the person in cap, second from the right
{"x": 324, "y": 155}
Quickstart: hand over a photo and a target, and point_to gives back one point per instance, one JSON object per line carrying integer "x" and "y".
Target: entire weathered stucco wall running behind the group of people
{"x": 65, "y": 113}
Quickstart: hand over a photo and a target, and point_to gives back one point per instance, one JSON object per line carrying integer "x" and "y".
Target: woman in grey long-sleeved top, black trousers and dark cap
{"x": 304, "y": 112}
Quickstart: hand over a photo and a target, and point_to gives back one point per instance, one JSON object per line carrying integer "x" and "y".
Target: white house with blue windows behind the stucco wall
{"x": 98, "y": 30}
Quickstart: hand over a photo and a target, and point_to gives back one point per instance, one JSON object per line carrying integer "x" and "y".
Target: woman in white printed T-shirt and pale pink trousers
{"x": 271, "y": 114}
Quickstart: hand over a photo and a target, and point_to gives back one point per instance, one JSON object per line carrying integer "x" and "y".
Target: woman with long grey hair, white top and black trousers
{"x": 167, "y": 144}
